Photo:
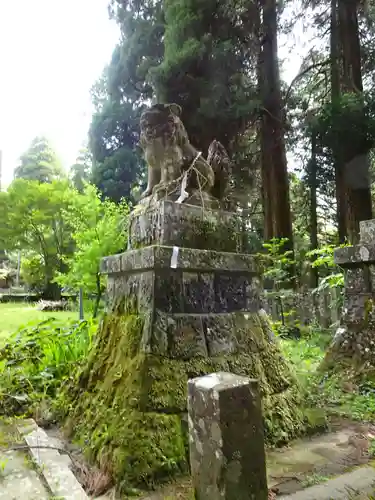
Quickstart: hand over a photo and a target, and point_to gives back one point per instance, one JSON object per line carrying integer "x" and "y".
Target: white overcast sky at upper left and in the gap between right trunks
{"x": 51, "y": 52}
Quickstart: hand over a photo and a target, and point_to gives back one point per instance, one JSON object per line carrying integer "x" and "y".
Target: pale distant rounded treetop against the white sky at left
{"x": 39, "y": 163}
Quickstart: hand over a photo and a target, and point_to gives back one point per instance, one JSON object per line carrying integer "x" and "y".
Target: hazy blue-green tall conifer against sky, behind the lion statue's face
{"x": 119, "y": 97}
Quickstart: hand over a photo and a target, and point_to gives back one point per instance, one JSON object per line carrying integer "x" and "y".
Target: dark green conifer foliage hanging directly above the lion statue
{"x": 206, "y": 69}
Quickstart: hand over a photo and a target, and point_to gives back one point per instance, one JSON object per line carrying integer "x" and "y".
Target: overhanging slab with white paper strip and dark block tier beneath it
{"x": 199, "y": 282}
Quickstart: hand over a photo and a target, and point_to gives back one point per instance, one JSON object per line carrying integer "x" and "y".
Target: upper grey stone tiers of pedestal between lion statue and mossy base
{"x": 195, "y": 300}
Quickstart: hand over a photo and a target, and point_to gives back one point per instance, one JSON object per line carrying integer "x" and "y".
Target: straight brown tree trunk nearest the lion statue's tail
{"x": 273, "y": 127}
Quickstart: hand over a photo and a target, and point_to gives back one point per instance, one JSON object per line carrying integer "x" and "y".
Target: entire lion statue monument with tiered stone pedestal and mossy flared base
{"x": 183, "y": 301}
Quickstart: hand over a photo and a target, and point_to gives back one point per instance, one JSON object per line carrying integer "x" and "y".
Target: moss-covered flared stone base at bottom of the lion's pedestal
{"x": 124, "y": 406}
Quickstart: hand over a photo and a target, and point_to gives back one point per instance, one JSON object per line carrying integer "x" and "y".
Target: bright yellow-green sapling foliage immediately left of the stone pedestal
{"x": 99, "y": 229}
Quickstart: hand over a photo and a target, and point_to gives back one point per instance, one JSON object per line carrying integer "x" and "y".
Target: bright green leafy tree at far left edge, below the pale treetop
{"x": 33, "y": 219}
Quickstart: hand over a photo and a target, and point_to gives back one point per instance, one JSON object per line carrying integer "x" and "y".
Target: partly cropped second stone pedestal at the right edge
{"x": 354, "y": 341}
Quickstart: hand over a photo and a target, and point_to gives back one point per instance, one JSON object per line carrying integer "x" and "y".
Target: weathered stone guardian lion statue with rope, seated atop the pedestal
{"x": 170, "y": 157}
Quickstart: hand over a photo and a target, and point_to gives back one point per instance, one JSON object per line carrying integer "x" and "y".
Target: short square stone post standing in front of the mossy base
{"x": 226, "y": 438}
